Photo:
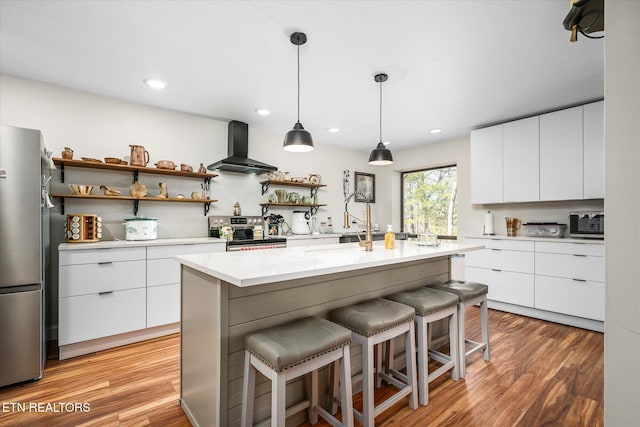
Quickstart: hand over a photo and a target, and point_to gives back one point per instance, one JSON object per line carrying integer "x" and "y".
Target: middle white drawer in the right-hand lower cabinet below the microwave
{"x": 570, "y": 266}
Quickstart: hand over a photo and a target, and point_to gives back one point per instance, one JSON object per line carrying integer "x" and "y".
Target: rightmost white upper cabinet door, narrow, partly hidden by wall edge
{"x": 593, "y": 130}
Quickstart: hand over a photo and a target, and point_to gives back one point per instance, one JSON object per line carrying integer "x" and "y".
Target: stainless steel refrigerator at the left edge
{"x": 24, "y": 248}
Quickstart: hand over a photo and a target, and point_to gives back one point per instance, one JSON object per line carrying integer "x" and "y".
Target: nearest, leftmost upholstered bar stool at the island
{"x": 289, "y": 351}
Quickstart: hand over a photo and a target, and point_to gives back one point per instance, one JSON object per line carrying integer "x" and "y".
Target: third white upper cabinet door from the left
{"x": 561, "y": 151}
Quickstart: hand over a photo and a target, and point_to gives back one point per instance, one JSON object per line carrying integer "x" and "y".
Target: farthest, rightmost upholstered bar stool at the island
{"x": 469, "y": 293}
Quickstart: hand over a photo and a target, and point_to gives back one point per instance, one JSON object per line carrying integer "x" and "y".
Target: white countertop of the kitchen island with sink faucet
{"x": 251, "y": 268}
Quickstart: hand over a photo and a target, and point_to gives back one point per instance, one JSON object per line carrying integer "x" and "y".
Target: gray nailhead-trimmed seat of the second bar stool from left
{"x": 373, "y": 316}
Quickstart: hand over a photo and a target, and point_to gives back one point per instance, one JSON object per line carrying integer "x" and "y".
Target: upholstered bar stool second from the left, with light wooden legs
{"x": 371, "y": 323}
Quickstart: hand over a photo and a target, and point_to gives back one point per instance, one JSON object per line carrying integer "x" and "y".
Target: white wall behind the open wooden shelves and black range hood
{"x": 98, "y": 127}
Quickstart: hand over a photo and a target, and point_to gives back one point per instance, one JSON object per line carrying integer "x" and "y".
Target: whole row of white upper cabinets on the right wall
{"x": 554, "y": 156}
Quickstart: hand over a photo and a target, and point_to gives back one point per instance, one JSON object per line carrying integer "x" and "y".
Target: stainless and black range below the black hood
{"x": 243, "y": 238}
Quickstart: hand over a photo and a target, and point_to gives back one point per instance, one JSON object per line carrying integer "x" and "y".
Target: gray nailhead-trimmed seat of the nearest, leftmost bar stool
{"x": 293, "y": 343}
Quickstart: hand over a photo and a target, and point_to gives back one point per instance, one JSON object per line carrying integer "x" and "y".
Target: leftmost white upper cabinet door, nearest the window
{"x": 486, "y": 165}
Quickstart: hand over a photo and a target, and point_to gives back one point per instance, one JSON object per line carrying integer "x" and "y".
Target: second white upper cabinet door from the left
{"x": 521, "y": 160}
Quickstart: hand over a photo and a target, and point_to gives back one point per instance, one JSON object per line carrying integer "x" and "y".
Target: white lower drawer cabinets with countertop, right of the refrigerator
{"x": 104, "y": 292}
